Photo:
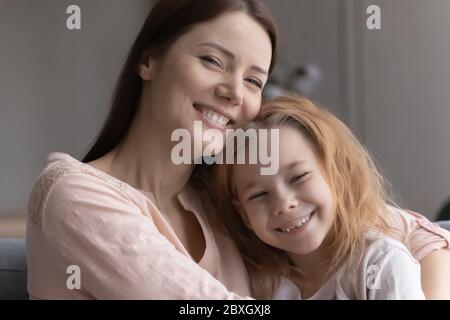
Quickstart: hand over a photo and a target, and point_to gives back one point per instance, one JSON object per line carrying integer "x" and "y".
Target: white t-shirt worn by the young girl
{"x": 387, "y": 271}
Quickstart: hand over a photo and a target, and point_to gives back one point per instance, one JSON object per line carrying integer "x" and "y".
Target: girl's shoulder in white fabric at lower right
{"x": 382, "y": 268}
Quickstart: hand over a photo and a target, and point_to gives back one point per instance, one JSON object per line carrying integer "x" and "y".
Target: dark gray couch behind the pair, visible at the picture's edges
{"x": 13, "y": 267}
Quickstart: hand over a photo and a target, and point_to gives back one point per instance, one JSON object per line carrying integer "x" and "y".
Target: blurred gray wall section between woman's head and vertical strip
{"x": 309, "y": 33}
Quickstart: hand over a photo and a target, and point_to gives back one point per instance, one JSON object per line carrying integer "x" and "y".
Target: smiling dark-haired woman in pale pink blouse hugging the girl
{"x": 136, "y": 224}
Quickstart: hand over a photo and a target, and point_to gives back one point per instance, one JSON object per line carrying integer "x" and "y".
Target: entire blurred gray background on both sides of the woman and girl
{"x": 390, "y": 86}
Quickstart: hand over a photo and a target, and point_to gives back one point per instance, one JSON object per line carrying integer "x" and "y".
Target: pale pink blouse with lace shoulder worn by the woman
{"x": 121, "y": 243}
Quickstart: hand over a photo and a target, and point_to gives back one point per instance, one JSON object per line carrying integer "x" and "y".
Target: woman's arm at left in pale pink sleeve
{"x": 120, "y": 252}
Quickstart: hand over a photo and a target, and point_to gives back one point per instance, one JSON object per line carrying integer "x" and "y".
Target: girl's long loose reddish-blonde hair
{"x": 357, "y": 187}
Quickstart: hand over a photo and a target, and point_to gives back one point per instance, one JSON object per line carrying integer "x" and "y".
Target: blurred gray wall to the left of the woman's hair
{"x": 56, "y": 84}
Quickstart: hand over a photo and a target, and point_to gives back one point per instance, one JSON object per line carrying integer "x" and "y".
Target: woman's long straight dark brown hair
{"x": 168, "y": 20}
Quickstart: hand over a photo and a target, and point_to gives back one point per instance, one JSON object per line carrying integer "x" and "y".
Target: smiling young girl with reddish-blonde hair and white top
{"x": 318, "y": 228}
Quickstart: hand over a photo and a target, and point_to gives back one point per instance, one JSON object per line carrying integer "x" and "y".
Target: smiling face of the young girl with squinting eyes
{"x": 292, "y": 210}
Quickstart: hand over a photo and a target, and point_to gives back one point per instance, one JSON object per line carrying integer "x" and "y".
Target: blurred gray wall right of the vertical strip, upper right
{"x": 405, "y": 105}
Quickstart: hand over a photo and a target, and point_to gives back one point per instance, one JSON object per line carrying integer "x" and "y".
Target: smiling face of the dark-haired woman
{"x": 214, "y": 73}
